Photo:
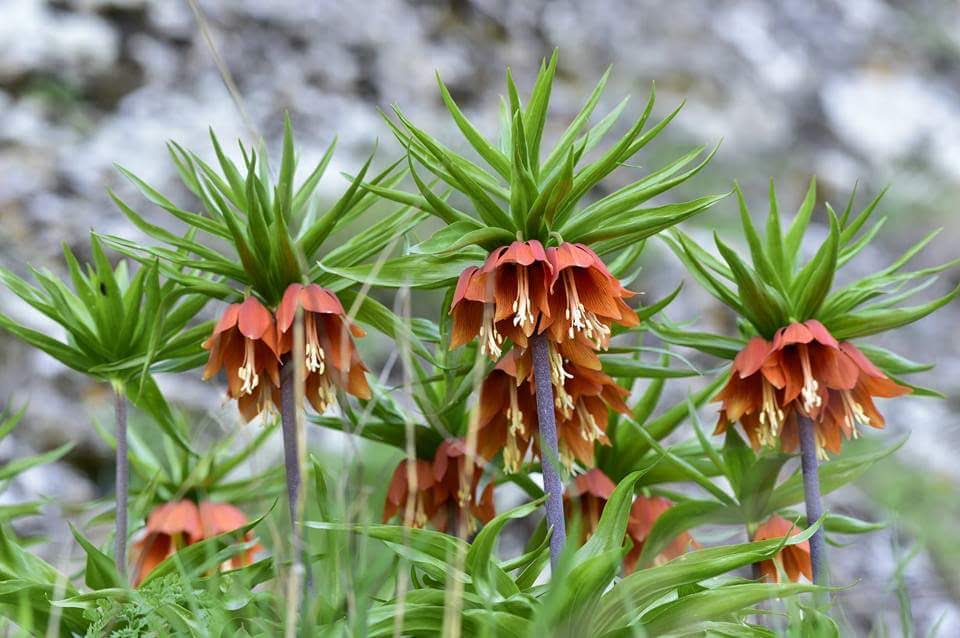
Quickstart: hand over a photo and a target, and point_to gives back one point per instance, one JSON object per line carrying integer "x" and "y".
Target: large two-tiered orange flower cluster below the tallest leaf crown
{"x": 567, "y": 293}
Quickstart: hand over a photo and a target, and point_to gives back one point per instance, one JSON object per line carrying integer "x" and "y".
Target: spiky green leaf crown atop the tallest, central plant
{"x": 520, "y": 190}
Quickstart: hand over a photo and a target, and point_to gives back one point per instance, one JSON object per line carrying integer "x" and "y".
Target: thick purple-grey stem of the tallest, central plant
{"x": 550, "y": 454}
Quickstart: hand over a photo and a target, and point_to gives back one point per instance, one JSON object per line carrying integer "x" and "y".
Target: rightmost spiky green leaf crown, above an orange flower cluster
{"x": 776, "y": 289}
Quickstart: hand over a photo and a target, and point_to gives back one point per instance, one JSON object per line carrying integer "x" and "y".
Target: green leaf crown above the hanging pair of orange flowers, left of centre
{"x": 274, "y": 229}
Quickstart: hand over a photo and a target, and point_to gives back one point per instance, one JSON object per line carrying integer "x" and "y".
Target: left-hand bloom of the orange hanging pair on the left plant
{"x": 244, "y": 343}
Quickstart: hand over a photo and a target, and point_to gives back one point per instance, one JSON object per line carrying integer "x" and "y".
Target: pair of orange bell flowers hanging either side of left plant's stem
{"x": 250, "y": 344}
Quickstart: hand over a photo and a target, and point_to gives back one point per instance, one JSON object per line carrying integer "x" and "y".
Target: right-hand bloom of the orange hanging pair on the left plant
{"x": 330, "y": 356}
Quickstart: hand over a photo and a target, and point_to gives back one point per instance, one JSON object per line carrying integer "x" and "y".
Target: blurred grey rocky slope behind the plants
{"x": 847, "y": 90}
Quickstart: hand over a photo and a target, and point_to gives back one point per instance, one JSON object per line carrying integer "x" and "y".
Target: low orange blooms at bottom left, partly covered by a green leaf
{"x": 177, "y": 524}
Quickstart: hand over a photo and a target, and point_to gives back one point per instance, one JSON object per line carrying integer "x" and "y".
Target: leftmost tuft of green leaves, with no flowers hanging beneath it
{"x": 120, "y": 329}
